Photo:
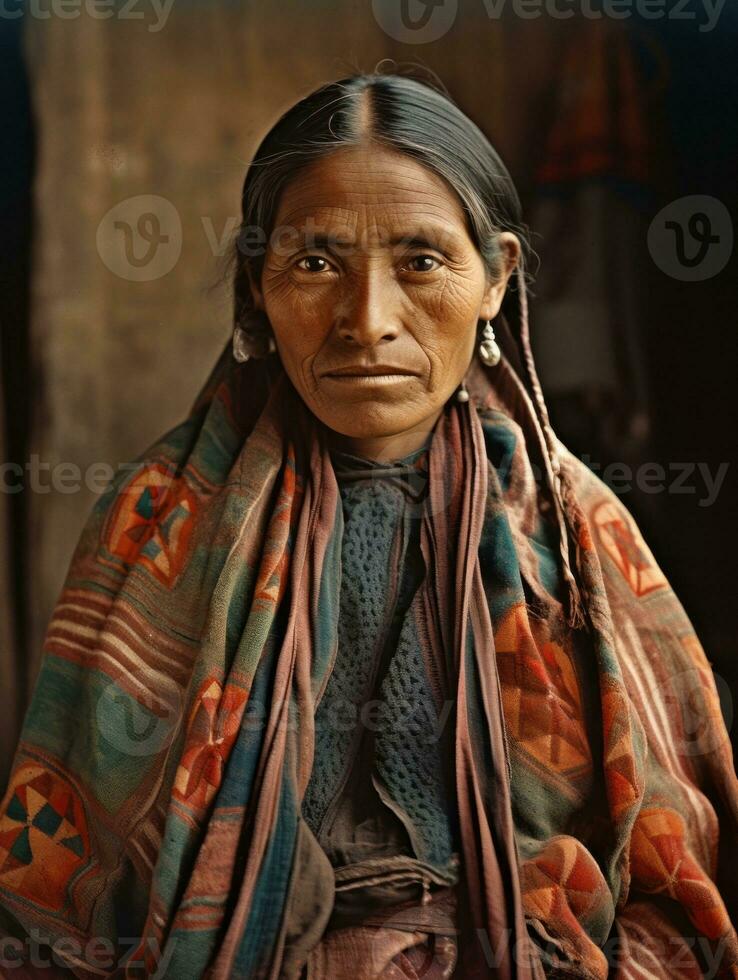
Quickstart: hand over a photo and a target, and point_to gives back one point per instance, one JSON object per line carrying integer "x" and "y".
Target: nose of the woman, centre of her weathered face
{"x": 370, "y": 312}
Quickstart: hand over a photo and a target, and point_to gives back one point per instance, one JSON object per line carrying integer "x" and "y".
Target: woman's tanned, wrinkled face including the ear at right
{"x": 371, "y": 271}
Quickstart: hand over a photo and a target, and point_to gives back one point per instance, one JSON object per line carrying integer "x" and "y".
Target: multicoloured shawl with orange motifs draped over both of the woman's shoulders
{"x": 154, "y": 803}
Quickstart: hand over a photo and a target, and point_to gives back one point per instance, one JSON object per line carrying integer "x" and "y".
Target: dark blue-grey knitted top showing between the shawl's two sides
{"x": 378, "y": 704}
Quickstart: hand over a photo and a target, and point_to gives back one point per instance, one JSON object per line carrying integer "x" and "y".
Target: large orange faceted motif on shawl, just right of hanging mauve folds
{"x": 540, "y": 694}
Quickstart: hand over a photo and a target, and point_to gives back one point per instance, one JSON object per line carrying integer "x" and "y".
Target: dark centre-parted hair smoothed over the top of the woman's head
{"x": 395, "y": 111}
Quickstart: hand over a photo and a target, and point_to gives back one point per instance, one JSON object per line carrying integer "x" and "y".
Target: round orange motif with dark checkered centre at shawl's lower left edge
{"x": 43, "y": 836}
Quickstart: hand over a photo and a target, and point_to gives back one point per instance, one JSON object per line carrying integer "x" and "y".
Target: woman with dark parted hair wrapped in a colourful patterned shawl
{"x": 360, "y": 673}
